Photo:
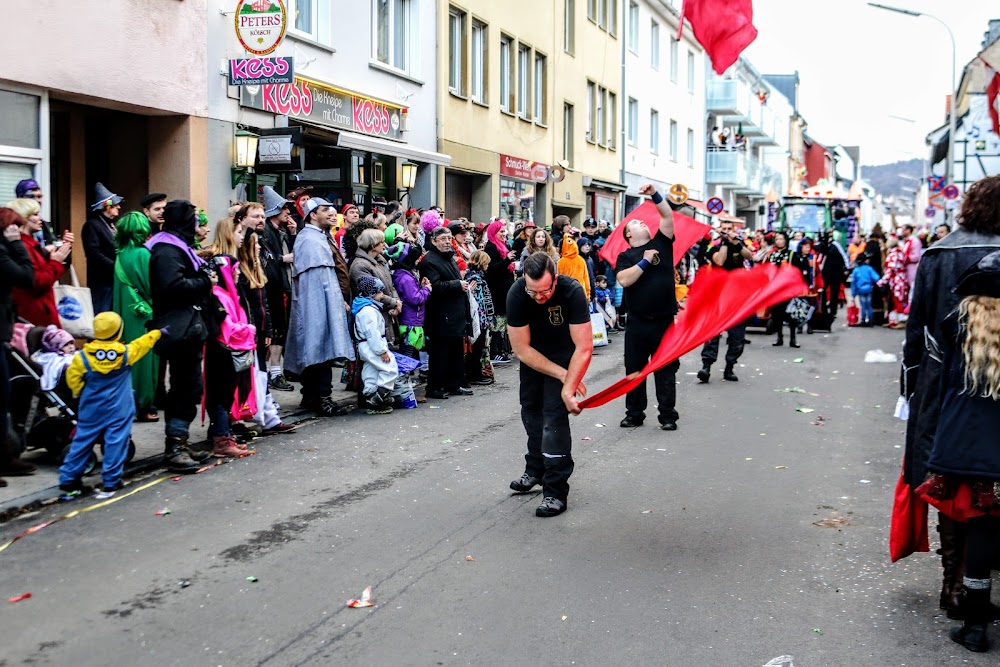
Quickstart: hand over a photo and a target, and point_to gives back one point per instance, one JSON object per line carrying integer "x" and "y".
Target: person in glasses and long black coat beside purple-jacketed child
{"x": 448, "y": 318}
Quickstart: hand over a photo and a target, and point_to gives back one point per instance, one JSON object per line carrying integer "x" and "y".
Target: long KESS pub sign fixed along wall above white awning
{"x": 325, "y": 105}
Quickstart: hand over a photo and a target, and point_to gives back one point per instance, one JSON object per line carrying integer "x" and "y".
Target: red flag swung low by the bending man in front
{"x": 718, "y": 301}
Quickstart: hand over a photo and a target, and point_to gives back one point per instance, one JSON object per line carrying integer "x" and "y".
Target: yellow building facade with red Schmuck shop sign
{"x": 528, "y": 109}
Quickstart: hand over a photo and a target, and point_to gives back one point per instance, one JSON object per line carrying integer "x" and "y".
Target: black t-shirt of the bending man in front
{"x": 549, "y": 322}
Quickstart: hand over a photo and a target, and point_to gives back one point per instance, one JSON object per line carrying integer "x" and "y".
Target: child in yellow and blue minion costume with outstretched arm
{"x": 101, "y": 376}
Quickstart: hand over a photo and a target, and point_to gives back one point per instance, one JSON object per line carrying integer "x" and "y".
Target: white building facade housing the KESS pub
{"x": 358, "y": 117}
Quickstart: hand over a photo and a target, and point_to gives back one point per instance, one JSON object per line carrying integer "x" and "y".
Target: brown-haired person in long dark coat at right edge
{"x": 977, "y": 235}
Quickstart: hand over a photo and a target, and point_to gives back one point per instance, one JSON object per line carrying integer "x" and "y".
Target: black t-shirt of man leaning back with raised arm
{"x": 652, "y": 297}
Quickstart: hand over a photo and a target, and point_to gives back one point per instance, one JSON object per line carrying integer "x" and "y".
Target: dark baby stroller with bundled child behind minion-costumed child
{"x": 40, "y": 419}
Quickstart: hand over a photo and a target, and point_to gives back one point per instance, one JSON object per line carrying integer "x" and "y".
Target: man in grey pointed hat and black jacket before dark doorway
{"x": 98, "y": 238}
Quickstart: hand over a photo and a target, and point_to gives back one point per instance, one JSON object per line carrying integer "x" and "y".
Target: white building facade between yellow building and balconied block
{"x": 664, "y": 102}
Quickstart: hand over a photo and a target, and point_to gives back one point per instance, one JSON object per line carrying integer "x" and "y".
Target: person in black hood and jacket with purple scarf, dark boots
{"x": 181, "y": 285}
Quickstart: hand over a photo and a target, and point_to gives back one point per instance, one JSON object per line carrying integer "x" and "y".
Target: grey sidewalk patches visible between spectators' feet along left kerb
{"x": 25, "y": 492}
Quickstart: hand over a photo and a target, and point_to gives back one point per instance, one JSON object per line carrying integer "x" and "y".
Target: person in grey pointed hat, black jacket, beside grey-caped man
{"x": 276, "y": 246}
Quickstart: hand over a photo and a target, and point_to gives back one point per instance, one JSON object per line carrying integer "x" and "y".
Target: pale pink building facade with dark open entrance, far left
{"x": 132, "y": 114}
